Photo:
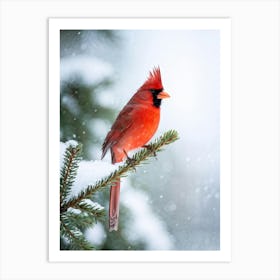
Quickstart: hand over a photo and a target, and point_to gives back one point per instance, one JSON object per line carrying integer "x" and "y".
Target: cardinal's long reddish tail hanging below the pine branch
{"x": 114, "y": 206}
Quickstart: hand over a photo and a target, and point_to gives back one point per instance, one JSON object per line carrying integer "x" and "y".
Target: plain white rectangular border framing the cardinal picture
{"x": 222, "y": 24}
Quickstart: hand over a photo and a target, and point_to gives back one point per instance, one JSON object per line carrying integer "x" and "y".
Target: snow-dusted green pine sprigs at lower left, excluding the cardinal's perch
{"x": 84, "y": 214}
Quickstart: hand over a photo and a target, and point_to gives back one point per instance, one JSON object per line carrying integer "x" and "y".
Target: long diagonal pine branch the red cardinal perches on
{"x": 129, "y": 165}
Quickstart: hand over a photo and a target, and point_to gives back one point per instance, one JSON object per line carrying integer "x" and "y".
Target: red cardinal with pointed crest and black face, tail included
{"x": 134, "y": 127}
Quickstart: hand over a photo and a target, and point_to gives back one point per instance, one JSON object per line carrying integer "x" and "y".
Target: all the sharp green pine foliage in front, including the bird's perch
{"x": 79, "y": 213}
